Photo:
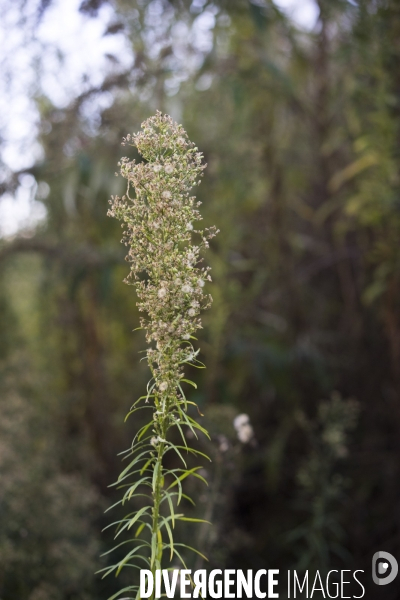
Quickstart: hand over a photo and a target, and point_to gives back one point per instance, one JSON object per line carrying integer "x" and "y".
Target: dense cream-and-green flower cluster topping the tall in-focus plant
{"x": 159, "y": 223}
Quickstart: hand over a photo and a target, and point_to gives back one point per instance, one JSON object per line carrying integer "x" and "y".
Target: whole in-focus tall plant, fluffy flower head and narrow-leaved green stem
{"x": 159, "y": 220}
